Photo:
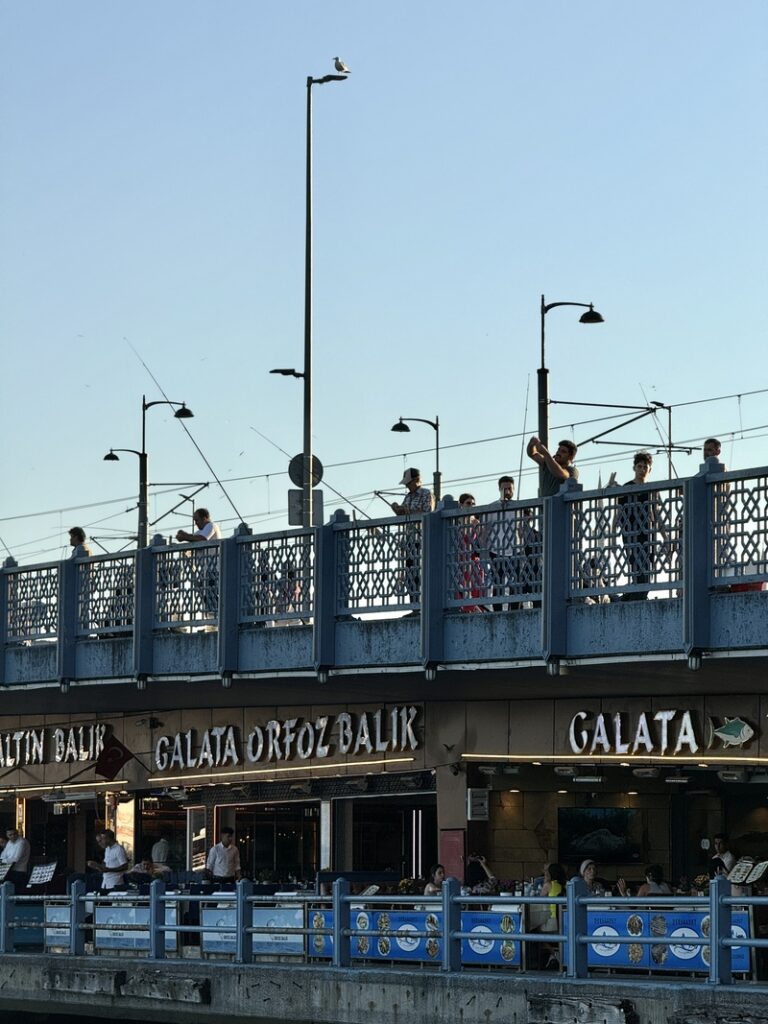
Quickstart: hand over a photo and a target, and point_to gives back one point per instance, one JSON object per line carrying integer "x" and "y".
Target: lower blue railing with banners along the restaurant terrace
{"x": 706, "y": 936}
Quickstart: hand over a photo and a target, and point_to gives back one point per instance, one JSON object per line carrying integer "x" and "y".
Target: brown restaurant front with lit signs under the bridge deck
{"x": 397, "y": 787}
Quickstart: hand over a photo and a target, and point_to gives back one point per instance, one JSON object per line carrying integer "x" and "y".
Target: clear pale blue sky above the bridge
{"x": 152, "y": 237}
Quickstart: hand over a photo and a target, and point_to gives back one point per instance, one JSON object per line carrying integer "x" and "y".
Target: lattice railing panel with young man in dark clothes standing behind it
{"x": 628, "y": 541}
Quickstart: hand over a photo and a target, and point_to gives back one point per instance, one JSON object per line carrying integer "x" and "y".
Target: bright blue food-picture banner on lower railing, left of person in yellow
{"x": 400, "y": 938}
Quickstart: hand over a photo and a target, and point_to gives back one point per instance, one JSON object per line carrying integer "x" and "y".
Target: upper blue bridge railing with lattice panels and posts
{"x": 692, "y": 539}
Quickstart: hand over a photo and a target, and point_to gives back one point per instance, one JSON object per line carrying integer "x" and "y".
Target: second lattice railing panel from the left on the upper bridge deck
{"x": 106, "y": 594}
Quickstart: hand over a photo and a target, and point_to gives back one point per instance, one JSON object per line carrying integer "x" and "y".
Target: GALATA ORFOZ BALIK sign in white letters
{"x": 284, "y": 740}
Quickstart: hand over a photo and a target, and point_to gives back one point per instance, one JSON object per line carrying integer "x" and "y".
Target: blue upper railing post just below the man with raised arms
{"x": 558, "y": 513}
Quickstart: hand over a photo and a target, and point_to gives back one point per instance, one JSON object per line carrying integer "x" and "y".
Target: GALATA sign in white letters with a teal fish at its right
{"x": 663, "y": 733}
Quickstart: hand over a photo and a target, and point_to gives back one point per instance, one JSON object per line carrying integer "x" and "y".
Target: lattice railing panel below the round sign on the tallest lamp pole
{"x": 277, "y": 578}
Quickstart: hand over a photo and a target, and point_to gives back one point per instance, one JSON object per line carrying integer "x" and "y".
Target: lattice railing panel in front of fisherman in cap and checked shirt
{"x": 380, "y": 566}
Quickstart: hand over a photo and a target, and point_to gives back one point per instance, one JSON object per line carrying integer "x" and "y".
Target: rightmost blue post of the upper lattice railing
{"x": 698, "y": 552}
